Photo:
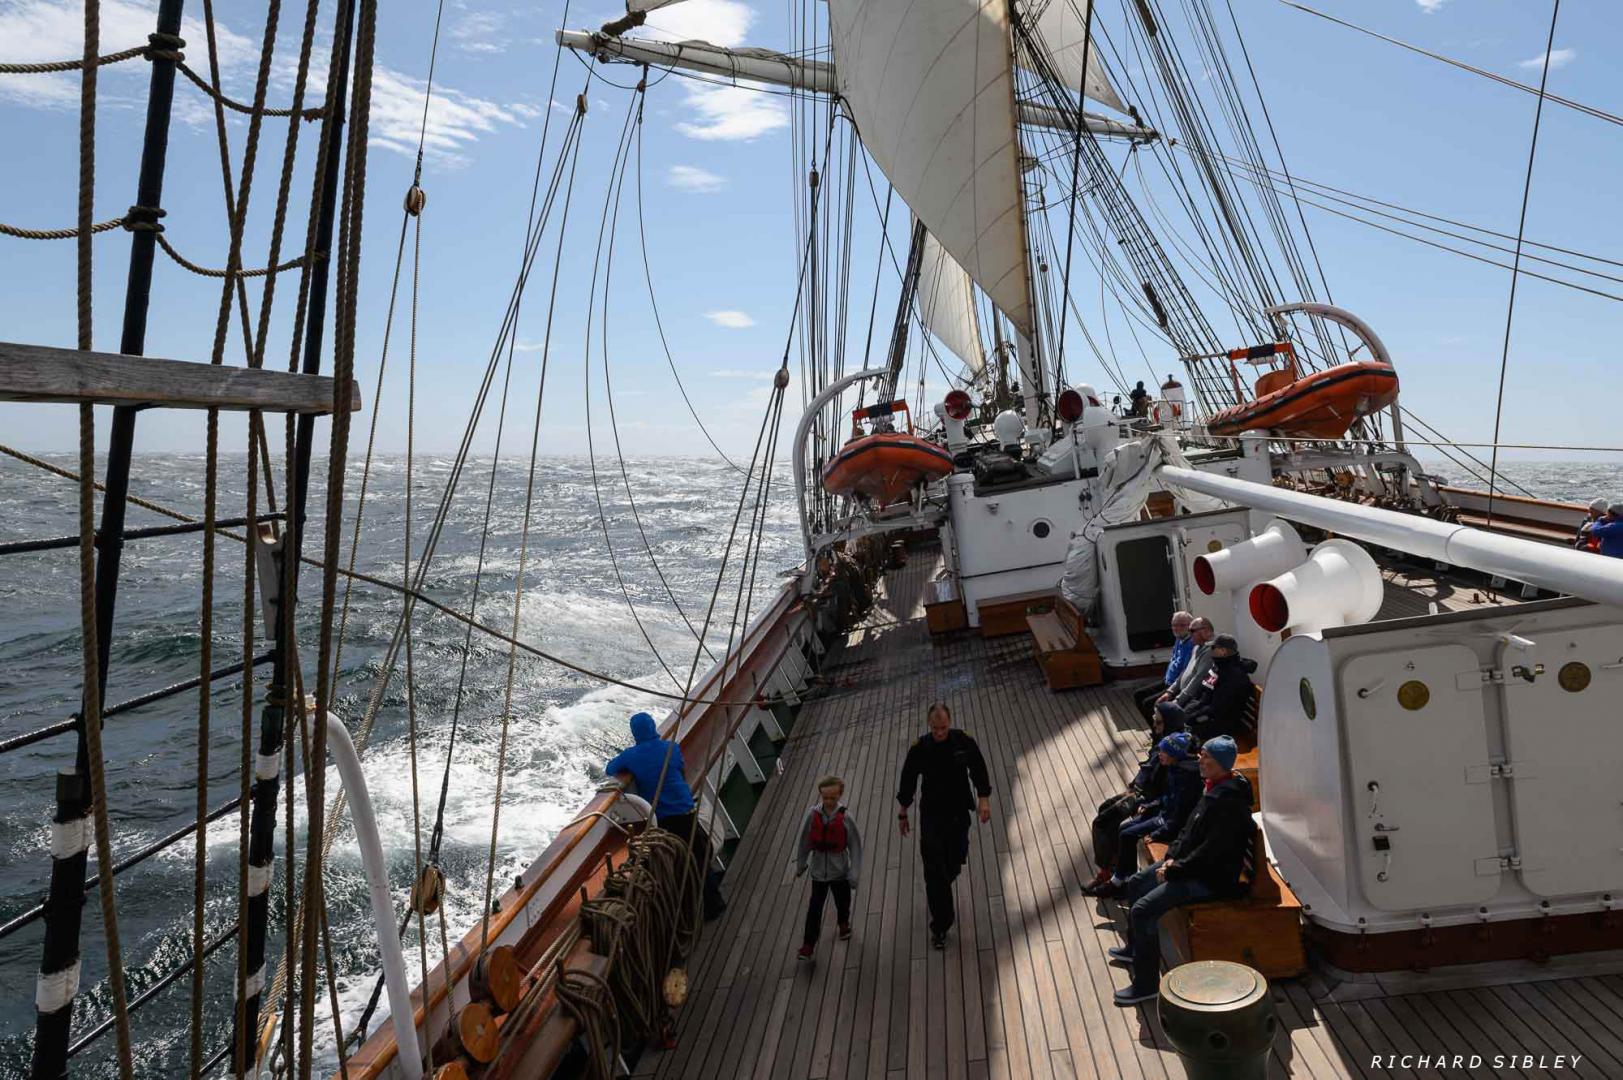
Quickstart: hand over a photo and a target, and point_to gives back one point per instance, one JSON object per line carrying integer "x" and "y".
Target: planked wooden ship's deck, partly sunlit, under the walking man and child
{"x": 1023, "y": 988}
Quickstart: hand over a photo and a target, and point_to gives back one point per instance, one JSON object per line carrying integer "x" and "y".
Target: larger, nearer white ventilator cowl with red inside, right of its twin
{"x": 1338, "y": 585}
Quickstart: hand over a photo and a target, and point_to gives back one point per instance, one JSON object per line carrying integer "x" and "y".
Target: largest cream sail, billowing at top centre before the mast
{"x": 931, "y": 89}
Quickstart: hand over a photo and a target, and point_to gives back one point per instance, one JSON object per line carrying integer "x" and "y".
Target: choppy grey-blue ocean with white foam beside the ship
{"x": 601, "y": 605}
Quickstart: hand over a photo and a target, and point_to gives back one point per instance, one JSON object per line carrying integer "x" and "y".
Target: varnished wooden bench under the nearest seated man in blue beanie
{"x": 1262, "y": 930}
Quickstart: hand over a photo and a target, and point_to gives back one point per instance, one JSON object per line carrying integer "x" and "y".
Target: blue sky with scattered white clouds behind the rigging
{"x": 718, "y": 176}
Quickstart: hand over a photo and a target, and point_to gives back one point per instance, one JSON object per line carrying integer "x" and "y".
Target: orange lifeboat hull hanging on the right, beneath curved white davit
{"x": 1322, "y": 405}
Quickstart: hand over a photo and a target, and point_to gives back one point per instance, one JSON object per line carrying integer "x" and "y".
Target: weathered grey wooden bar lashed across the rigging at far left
{"x": 37, "y": 373}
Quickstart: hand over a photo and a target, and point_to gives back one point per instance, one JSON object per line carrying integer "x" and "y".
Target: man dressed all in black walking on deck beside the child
{"x": 955, "y": 784}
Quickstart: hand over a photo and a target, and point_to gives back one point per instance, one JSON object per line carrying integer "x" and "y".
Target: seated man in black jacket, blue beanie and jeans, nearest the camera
{"x": 1203, "y": 863}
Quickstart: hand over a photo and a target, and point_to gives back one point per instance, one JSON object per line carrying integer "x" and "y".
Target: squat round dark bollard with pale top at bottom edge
{"x": 1220, "y": 1017}
